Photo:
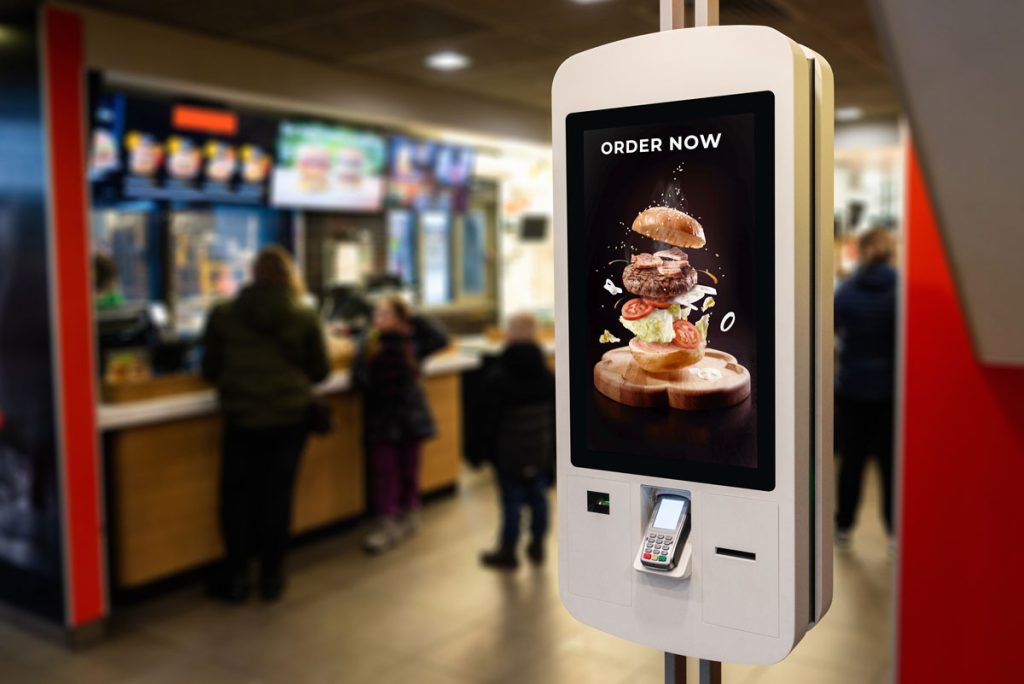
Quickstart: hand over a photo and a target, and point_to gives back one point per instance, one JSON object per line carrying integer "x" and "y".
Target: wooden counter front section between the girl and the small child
{"x": 441, "y": 455}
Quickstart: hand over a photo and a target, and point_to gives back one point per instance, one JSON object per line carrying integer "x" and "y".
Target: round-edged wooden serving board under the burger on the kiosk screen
{"x": 724, "y": 383}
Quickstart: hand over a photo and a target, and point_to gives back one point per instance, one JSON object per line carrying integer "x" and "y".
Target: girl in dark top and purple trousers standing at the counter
{"x": 397, "y": 416}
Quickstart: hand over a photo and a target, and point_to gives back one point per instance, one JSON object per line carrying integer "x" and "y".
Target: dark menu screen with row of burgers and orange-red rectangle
{"x": 143, "y": 149}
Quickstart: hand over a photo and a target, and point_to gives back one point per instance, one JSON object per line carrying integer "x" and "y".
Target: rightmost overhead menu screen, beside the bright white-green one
{"x": 425, "y": 175}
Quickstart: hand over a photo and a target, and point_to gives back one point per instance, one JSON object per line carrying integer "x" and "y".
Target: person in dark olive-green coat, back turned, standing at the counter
{"x": 265, "y": 351}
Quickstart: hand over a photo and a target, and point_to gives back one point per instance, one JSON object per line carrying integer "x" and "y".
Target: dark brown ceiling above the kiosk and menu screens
{"x": 516, "y": 46}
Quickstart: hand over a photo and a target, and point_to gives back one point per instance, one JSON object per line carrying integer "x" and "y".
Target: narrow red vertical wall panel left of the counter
{"x": 65, "y": 78}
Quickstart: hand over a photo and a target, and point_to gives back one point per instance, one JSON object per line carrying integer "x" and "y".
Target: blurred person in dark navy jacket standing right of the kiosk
{"x": 866, "y": 334}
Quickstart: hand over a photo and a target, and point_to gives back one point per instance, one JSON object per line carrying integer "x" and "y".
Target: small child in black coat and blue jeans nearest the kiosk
{"x": 518, "y": 437}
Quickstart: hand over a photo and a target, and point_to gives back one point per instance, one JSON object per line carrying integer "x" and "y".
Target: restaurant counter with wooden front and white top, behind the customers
{"x": 163, "y": 462}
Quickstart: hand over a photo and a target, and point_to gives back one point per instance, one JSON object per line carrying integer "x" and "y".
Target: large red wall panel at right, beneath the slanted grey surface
{"x": 962, "y": 566}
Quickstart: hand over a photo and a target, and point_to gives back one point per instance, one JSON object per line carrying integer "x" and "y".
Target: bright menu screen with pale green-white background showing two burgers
{"x": 326, "y": 166}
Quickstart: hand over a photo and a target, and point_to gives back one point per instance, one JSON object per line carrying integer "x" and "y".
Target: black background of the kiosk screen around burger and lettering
{"x": 719, "y": 188}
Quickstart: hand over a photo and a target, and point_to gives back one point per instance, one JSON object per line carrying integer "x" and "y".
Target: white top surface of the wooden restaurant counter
{"x": 191, "y": 405}
